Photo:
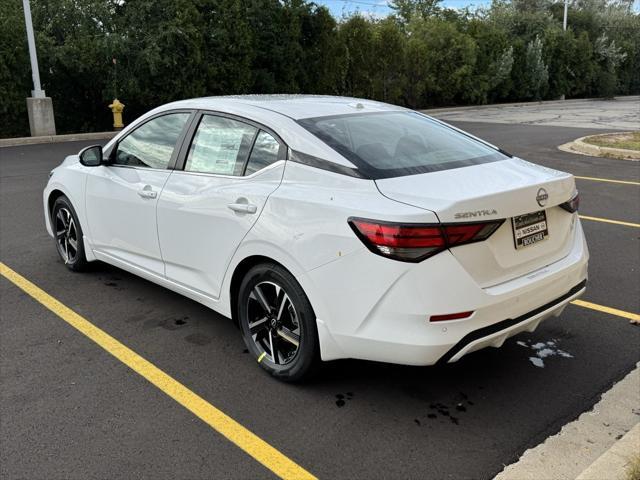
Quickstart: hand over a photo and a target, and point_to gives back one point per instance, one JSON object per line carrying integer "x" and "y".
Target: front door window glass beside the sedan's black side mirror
{"x": 151, "y": 145}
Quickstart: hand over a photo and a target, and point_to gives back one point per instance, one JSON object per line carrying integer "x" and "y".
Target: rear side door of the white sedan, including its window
{"x": 230, "y": 168}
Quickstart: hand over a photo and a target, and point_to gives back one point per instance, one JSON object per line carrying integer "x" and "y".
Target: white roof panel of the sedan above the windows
{"x": 293, "y": 106}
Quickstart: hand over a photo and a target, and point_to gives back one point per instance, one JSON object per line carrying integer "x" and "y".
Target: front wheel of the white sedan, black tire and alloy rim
{"x": 67, "y": 234}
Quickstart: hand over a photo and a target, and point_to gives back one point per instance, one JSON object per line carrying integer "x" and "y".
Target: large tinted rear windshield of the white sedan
{"x": 393, "y": 144}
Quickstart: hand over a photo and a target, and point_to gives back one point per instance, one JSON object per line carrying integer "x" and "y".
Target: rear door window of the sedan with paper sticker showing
{"x": 221, "y": 146}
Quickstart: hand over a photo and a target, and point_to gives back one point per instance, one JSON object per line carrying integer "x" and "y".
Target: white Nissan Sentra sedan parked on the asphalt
{"x": 327, "y": 227}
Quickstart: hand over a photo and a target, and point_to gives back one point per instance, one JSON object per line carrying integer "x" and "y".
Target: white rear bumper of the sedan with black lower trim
{"x": 379, "y": 309}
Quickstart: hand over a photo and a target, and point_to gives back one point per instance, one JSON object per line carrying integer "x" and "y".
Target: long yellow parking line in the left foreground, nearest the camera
{"x": 253, "y": 445}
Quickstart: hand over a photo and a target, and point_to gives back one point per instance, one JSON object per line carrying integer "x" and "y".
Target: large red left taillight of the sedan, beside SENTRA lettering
{"x": 411, "y": 242}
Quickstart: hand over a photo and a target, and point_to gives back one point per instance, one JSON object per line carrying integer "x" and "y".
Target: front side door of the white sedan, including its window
{"x": 121, "y": 197}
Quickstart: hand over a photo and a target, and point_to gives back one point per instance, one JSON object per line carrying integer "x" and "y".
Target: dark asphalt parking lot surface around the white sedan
{"x": 69, "y": 409}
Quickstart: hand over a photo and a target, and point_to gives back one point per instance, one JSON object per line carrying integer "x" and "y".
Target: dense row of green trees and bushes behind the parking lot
{"x": 149, "y": 52}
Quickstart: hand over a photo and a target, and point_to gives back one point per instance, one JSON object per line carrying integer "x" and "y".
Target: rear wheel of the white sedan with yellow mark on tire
{"x": 286, "y": 322}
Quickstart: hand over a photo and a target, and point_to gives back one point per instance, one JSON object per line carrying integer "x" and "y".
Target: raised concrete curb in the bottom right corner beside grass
{"x": 613, "y": 463}
